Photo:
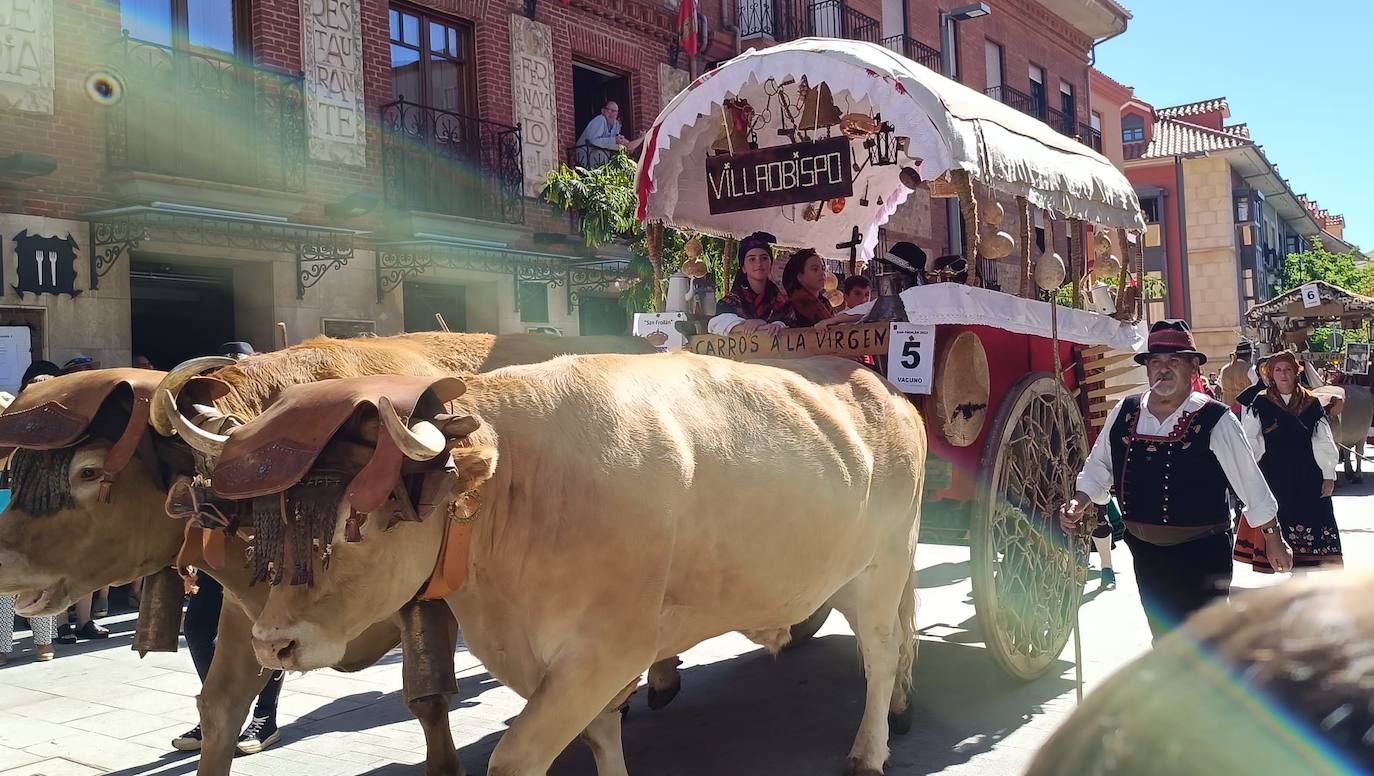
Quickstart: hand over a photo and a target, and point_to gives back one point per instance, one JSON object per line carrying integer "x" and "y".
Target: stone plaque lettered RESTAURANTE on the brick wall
{"x": 332, "y": 57}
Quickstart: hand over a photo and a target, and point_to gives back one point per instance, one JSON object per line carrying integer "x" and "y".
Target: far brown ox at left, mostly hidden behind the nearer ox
{"x": 91, "y": 486}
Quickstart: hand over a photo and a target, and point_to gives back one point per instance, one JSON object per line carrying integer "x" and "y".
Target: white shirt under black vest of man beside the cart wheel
{"x": 1228, "y": 444}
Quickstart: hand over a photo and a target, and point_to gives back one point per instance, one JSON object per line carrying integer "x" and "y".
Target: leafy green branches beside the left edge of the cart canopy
{"x": 604, "y": 201}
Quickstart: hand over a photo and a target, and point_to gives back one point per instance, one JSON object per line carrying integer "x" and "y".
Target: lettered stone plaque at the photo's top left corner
{"x": 27, "y": 65}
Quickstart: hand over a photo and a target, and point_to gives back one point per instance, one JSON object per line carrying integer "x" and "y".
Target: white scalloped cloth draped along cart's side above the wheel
{"x": 969, "y": 306}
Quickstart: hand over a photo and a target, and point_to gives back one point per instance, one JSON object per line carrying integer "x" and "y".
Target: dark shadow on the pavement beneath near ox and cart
{"x": 798, "y": 716}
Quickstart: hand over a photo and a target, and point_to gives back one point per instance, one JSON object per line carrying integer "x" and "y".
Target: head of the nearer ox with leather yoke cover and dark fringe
{"x": 355, "y": 486}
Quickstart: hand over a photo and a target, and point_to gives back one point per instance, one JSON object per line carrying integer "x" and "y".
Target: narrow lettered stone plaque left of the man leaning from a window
{"x": 535, "y": 108}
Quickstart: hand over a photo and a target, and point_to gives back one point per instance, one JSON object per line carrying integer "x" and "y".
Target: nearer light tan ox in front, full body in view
{"x": 631, "y": 509}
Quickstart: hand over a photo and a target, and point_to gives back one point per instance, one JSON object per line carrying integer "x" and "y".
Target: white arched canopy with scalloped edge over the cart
{"x": 947, "y": 127}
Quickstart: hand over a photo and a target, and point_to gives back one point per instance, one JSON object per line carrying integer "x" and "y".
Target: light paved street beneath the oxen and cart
{"x": 98, "y": 709}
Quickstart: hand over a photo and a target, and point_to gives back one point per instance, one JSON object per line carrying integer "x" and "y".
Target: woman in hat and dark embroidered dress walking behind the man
{"x": 1292, "y": 442}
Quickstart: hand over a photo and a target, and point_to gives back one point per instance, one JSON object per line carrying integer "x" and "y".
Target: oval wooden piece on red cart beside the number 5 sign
{"x": 961, "y": 389}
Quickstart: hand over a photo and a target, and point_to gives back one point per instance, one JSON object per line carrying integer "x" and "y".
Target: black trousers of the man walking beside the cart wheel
{"x": 1175, "y": 582}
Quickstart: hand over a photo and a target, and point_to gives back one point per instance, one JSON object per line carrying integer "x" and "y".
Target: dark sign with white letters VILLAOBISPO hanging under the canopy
{"x": 780, "y": 175}
